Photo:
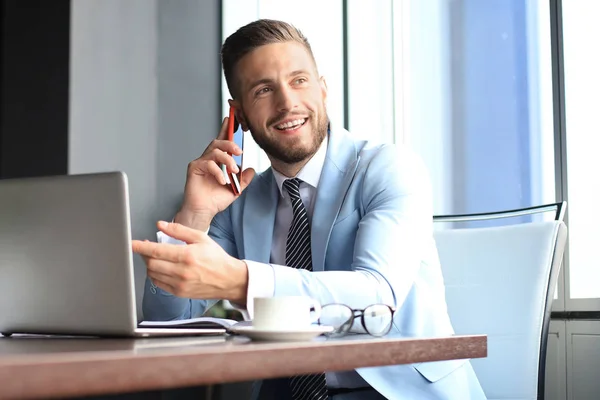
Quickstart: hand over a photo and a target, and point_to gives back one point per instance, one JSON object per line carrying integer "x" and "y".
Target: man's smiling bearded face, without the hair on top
{"x": 282, "y": 101}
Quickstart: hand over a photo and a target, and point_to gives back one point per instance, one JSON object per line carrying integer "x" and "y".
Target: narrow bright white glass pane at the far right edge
{"x": 582, "y": 85}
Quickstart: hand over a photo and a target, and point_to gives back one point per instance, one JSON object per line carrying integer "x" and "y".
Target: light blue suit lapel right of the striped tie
{"x": 338, "y": 170}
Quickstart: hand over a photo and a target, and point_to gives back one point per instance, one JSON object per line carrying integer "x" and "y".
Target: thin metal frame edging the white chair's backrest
{"x": 559, "y": 213}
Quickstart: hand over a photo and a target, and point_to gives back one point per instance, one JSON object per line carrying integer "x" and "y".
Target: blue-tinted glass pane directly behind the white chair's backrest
{"x": 477, "y": 101}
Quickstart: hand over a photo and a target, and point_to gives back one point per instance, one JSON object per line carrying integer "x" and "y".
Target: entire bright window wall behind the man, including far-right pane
{"x": 467, "y": 84}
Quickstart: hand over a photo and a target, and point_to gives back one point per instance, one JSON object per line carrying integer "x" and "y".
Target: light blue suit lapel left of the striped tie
{"x": 260, "y": 208}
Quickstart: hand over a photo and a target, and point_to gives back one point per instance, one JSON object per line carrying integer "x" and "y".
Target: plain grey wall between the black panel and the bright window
{"x": 144, "y": 98}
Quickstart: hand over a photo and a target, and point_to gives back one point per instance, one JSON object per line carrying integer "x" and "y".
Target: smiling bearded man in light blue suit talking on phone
{"x": 369, "y": 208}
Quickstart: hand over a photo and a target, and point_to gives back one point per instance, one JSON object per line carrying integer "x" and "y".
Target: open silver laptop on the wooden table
{"x": 66, "y": 265}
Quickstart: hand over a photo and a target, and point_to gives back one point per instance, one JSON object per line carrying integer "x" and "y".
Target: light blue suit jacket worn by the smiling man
{"x": 372, "y": 232}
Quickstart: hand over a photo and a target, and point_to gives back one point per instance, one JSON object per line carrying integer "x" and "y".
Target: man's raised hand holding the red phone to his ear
{"x": 206, "y": 189}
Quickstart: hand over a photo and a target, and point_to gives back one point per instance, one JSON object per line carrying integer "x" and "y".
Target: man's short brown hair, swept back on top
{"x": 250, "y": 37}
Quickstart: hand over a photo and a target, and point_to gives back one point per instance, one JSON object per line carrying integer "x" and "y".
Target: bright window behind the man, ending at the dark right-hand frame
{"x": 466, "y": 83}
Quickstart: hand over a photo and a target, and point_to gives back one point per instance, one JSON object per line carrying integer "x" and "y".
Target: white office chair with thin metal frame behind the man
{"x": 500, "y": 281}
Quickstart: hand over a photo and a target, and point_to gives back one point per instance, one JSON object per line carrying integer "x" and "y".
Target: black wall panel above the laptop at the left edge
{"x": 34, "y": 80}
